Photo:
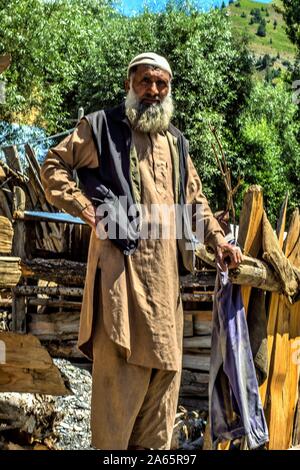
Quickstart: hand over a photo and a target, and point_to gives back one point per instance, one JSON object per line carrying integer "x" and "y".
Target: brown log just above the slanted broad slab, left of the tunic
{"x": 54, "y": 326}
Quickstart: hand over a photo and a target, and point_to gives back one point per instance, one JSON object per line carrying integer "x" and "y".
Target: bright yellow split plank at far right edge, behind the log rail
{"x": 281, "y": 389}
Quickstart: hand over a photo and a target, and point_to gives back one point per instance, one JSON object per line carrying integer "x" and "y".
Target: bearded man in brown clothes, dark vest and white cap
{"x": 132, "y": 318}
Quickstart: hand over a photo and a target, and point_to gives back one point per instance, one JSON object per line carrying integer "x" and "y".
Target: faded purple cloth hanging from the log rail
{"x": 235, "y": 407}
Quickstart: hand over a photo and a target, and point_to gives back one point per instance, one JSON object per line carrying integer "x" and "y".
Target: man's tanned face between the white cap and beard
{"x": 150, "y": 85}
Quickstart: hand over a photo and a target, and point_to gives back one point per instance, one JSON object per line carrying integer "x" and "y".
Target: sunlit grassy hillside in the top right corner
{"x": 276, "y": 41}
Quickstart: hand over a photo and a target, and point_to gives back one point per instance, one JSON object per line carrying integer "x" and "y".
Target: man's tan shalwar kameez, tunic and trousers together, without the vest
{"x": 131, "y": 319}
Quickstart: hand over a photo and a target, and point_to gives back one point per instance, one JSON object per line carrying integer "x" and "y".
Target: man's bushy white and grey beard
{"x": 154, "y": 118}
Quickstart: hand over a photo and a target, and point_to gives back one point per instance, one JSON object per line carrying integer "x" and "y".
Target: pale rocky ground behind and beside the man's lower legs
{"x": 34, "y": 421}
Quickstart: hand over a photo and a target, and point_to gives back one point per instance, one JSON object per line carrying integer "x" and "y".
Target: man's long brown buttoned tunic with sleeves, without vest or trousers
{"x": 140, "y": 299}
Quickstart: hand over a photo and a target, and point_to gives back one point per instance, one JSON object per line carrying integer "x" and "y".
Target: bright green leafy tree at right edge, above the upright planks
{"x": 270, "y": 144}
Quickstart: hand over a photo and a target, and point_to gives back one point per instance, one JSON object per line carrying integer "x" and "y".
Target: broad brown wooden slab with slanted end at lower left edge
{"x": 28, "y": 367}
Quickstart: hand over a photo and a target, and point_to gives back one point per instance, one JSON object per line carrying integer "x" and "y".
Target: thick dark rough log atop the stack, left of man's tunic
{"x": 58, "y": 270}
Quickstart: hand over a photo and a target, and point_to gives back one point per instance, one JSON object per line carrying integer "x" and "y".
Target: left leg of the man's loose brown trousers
{"x": 118, "y": 392}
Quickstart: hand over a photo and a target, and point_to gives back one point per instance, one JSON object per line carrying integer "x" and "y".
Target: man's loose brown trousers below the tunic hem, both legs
{"x": 131, "y": 405}
